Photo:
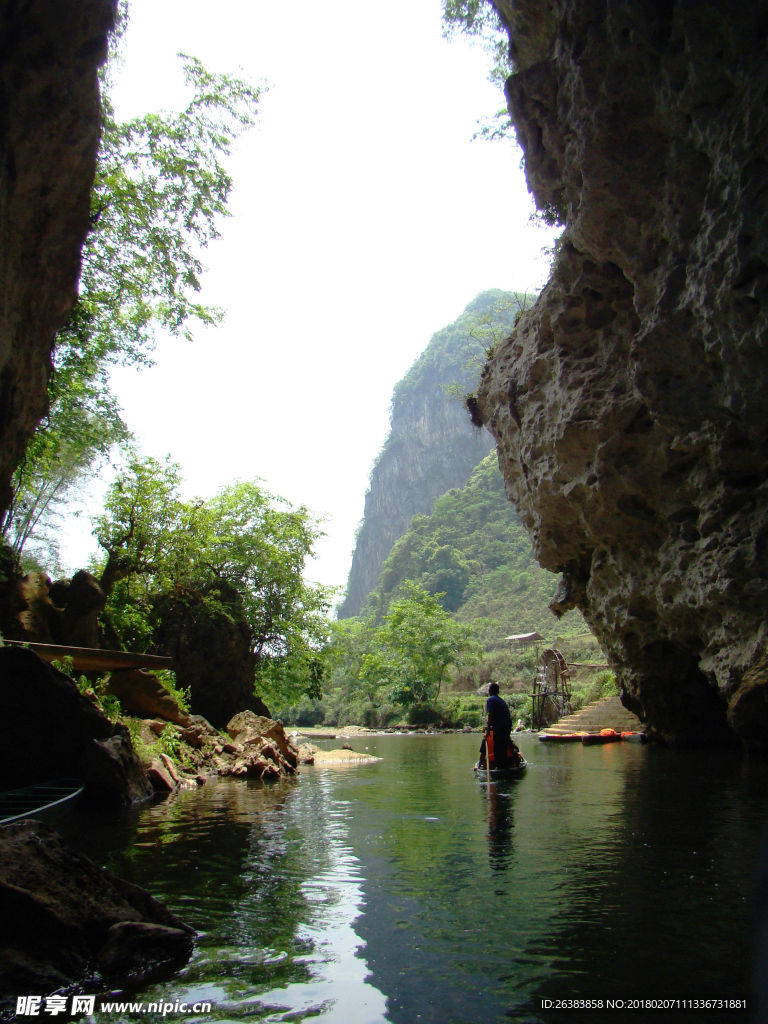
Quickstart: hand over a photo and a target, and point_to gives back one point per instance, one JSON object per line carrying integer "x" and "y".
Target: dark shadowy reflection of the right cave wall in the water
{"x": 657, "y": 902}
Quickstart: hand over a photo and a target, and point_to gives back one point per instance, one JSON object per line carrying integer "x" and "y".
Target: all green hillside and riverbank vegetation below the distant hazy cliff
{"x": 474, "y": 562}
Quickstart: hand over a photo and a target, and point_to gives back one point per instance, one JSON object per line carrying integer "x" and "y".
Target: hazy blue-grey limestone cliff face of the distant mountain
{"x": 432, "y": 448}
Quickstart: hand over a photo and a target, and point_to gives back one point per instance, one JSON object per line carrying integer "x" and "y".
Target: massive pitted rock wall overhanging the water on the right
{"x": 629, "y": 405}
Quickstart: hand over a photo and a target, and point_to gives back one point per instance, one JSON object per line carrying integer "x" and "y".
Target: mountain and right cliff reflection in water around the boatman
{"x": 476, "y": 908}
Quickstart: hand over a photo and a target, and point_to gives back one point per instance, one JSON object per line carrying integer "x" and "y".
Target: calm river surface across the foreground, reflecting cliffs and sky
{"x": 408, "y": 892}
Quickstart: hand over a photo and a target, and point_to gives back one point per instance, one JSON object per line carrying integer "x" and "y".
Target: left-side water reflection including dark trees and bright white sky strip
{"x": 265, "y": 875}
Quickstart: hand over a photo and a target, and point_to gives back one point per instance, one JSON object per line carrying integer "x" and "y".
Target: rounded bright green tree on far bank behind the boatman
{"x": 412, "y": 651}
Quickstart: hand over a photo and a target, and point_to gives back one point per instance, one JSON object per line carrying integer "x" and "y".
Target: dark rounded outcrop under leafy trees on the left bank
{"x": 210, "y": 644}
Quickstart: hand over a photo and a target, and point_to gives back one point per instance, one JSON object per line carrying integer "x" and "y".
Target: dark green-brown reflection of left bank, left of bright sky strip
{"x": 231, "y": 862}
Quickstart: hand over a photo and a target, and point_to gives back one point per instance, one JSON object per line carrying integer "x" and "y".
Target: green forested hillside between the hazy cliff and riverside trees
{"x": 476, "y": 550}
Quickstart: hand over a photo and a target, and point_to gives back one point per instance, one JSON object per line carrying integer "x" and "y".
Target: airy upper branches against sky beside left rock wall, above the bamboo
{"x": 159, "y": 194}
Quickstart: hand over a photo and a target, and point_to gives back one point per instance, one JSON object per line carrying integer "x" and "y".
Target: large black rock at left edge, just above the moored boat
{"x": 51, "y": 731}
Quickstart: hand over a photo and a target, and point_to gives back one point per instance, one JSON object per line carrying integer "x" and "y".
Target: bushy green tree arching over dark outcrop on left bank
{"x": 240, "y": 558}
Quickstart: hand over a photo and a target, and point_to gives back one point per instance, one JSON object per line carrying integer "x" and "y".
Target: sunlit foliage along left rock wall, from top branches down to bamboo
{"x": 159, "y": 194}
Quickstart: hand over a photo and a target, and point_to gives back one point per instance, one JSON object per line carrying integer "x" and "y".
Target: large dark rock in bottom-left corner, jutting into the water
{"x": 65, "y": 922}
